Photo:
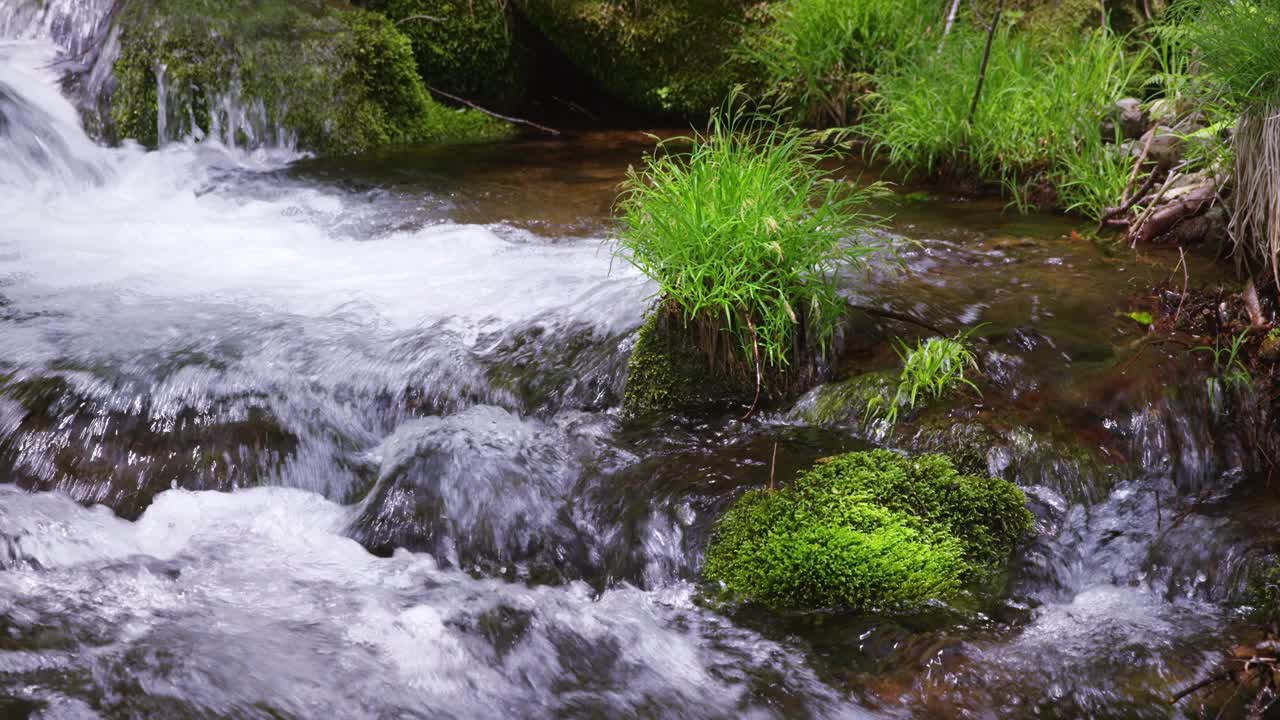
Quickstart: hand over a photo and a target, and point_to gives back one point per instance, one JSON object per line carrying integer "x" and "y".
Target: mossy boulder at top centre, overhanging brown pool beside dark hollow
{"x": 662, "y": 57}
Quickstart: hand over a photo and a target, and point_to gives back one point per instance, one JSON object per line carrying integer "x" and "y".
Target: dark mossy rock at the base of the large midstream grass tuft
{"x": 668, "y": 375}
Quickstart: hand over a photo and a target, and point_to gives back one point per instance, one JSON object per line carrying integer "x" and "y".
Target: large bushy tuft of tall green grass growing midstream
{"x": 744, "y": 231}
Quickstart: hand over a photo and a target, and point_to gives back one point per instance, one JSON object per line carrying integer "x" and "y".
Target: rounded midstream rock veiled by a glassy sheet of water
{"x": 478, "y": 489}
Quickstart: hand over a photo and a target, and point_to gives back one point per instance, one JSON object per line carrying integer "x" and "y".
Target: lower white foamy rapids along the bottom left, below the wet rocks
{"x": 252, "y": 605}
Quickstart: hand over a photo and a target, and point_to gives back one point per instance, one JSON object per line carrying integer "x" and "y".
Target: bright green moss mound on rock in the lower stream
{"x": 867, "y": 531}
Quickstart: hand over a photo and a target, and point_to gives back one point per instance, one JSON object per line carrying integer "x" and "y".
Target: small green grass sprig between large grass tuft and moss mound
{"x": 931, "y": 370}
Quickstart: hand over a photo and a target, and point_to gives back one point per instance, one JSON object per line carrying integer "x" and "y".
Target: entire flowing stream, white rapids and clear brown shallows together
{"x": 291, "y": 439}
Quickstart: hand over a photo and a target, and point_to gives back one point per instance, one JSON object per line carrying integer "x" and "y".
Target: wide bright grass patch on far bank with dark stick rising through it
{"x": 1037, "y": 125}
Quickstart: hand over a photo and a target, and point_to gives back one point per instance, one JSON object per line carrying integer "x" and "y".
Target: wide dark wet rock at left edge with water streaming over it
{"x": 117, "y": 446}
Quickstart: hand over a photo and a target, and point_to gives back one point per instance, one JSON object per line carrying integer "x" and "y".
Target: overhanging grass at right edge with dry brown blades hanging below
{"x": 1238, "y": 45}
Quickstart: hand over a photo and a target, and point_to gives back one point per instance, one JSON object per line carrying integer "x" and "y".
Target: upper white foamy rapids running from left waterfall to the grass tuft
{"x": 115, "y": 254}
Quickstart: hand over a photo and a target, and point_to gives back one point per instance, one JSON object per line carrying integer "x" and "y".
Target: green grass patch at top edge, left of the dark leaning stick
{"x": 820, "y": 54}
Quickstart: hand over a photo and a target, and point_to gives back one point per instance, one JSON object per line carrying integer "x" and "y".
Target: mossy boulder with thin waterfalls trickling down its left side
{"x": 276, "y": 71}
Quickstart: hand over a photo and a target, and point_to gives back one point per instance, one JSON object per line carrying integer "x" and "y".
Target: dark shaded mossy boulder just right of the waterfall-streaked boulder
{"x": 468, "y": 48}
